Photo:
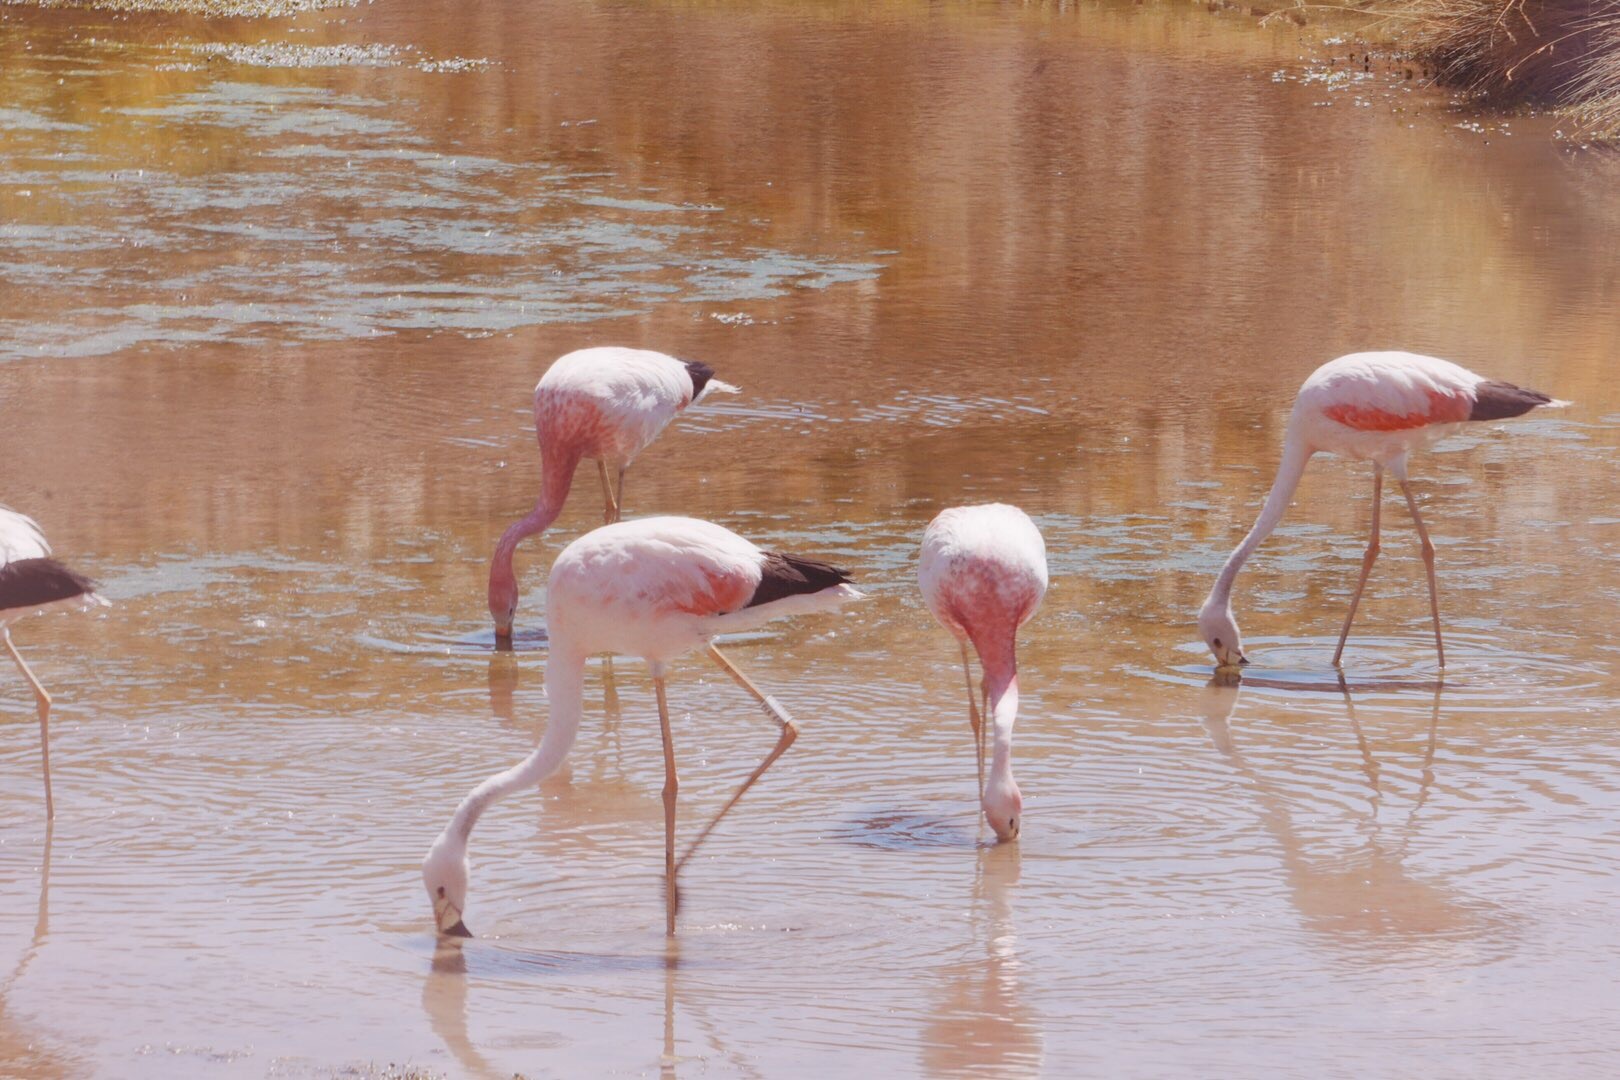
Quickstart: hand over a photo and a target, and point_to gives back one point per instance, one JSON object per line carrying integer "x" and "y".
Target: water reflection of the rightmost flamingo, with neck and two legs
{"x": 1365, "y": 899}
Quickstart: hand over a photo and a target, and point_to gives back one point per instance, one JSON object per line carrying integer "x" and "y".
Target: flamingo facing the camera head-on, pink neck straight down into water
{"x": 984, "y": 574}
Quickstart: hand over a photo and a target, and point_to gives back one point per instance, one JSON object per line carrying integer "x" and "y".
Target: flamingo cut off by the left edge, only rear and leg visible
{"x": 33, "y": 582}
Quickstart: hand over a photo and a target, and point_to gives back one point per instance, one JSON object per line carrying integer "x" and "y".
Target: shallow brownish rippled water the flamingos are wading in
{"x": 273, "y": 297}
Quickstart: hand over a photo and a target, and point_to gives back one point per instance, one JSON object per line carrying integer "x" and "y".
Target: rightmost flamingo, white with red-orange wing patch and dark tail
{"x": 1370, "y": 407}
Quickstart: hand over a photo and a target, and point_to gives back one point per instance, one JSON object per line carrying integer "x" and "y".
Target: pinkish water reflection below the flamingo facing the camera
{"x": 981, "y": 1021}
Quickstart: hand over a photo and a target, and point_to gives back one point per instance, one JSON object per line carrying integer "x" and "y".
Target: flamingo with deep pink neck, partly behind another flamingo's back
{"x": 605, "y": 404}
